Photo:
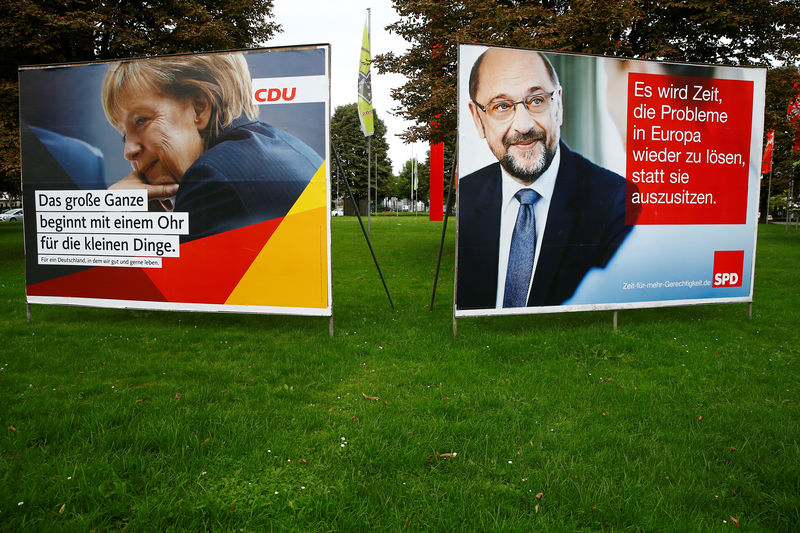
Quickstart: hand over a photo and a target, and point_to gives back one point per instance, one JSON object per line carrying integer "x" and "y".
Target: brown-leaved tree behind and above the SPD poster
{"x": 733, "y": 32}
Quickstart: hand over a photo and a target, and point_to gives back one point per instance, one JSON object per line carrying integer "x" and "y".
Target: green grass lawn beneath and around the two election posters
{"x": 684, "y": 419}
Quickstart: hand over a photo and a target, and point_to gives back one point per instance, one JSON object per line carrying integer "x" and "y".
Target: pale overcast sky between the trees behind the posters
{"x": 341, "y": 24}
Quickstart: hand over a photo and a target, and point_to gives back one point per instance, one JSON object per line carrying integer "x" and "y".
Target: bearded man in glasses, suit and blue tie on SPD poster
{"x": 531, "y": 225}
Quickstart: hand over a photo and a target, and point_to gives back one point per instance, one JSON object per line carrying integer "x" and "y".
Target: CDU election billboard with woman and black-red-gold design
{"x": 190, "y": 182}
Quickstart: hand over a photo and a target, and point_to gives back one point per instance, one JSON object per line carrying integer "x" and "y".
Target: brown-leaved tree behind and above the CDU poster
{"x": 49, "y": 31}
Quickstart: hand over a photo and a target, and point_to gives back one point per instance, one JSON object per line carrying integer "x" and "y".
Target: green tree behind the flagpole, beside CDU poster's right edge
{"x": 351, "y": 144}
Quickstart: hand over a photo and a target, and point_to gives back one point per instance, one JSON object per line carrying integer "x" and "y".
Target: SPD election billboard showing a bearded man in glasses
{"x": 602, "y": 183}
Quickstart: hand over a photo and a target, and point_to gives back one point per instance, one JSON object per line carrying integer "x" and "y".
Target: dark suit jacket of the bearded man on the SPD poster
{"x": 585, "y": 226}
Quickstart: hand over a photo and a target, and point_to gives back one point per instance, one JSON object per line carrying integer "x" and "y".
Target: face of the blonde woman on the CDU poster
{"x": 162, "y": 134}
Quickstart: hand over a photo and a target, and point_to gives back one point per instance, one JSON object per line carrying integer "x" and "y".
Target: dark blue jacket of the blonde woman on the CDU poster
{"x": 254, "y": 172}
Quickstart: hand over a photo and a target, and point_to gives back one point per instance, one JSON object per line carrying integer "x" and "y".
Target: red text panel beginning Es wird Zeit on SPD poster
{"x": 687, "y": 162}
